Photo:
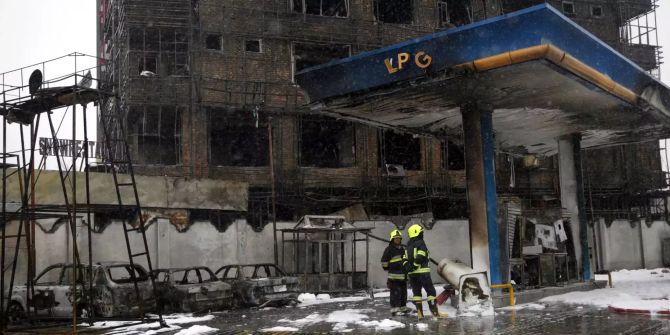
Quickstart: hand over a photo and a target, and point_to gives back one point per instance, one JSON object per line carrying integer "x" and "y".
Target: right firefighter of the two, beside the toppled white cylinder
{"x": 416, "y": 265}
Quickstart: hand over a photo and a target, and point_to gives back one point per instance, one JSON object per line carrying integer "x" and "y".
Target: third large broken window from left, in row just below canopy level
{"x": 327, "y": 142}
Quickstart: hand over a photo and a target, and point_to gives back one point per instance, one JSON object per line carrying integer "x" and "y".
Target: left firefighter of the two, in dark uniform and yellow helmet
{"x": 392, "y": 261}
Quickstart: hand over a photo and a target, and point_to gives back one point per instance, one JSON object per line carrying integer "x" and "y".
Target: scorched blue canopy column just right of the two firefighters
{"x": 481, "y": 186}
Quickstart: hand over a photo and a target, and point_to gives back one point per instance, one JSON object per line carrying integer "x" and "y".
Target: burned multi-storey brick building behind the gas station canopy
{"x": 208, "y": 91}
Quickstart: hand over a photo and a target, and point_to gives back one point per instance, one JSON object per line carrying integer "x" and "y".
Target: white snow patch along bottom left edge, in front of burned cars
{"x": 132, "y": 327}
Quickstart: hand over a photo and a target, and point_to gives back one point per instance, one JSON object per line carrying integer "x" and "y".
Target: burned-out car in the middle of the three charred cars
{"x": 192, "y": 289}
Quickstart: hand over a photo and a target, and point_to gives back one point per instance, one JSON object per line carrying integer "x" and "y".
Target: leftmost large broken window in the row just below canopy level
{"x": 157, "y": 132}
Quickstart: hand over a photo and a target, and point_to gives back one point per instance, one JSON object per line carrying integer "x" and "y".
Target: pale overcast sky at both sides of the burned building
{"x": 32, "y": 31}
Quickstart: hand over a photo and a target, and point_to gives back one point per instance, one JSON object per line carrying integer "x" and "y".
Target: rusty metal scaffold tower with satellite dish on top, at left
{"x": 36, "y": 94}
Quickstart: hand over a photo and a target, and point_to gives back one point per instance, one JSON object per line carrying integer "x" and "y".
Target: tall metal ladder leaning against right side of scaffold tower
{"x": 118, "y": 157}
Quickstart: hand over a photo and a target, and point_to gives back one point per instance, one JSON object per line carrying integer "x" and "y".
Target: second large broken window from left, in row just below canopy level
{"x": 238, "y": 138}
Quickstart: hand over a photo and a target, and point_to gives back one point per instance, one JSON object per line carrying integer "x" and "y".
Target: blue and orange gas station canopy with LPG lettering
{"x": 541, "y": 74}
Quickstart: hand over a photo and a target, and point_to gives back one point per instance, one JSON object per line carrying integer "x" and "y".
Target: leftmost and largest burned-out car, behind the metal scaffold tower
{"x": 113, "y": 293}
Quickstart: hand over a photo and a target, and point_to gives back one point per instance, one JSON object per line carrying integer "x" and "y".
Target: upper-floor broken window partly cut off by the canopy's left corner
{"x": 307, "y": 55}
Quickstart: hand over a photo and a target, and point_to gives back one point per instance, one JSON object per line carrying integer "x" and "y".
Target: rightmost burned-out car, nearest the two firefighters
{"x": 260, "y": 284}
